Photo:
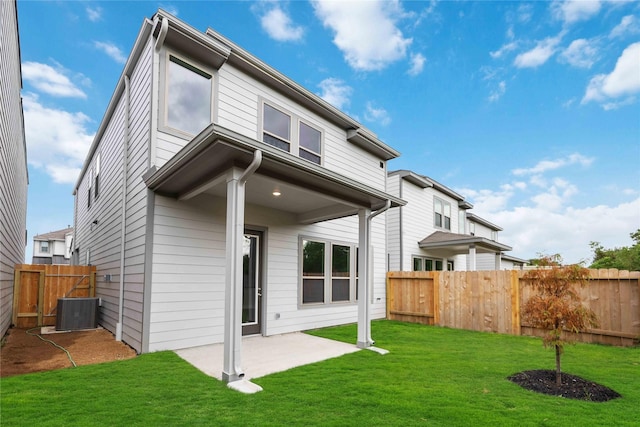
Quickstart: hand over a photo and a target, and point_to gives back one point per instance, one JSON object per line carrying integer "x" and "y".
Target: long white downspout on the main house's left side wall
{"x": 123, "y": 221}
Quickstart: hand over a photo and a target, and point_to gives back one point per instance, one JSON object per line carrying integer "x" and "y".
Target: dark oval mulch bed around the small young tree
{"x": 573, "y": 387}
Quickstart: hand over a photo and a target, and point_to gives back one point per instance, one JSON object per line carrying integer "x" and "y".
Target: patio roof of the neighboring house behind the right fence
{"x": 450, "y": 244}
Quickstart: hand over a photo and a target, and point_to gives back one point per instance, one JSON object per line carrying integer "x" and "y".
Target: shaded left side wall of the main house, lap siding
{"x": 103, "y": 240}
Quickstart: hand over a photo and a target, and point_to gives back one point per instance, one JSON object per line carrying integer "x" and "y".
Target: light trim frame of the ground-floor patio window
{"x": 328, "y": 273}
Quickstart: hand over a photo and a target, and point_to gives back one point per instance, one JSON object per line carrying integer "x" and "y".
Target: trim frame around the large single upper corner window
{"x": 164, "y": 90}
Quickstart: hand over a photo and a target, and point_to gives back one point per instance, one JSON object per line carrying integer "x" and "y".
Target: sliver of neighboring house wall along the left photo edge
{"x": 13, "y": 161}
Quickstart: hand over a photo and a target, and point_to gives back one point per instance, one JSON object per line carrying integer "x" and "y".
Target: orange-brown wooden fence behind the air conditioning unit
{"x": 37, "y": 287}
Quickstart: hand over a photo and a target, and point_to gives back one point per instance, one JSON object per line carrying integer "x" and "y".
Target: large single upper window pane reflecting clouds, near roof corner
{"x": 188, "y": 99}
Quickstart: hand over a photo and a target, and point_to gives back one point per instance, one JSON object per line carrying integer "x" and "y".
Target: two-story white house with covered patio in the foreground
{"x": 248, "y": 205}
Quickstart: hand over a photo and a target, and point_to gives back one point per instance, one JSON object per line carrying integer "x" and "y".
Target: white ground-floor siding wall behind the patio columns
{"x": 187, "y": 305}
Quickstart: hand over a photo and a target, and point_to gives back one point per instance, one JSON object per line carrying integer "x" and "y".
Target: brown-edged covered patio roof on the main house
{"x": 309, "y": 191}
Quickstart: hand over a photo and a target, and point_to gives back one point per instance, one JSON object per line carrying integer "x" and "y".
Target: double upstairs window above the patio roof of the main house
{"x": 290, "y": 134}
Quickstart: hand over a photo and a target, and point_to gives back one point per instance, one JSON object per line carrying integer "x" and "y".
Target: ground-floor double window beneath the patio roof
{"x": 328, "y": 277}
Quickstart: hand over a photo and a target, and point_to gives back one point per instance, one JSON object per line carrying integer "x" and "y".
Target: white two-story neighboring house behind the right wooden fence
{"x": 432, "y": 232}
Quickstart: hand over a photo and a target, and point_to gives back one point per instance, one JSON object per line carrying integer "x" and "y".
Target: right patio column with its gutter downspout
{"x": 364, "y": 305}
